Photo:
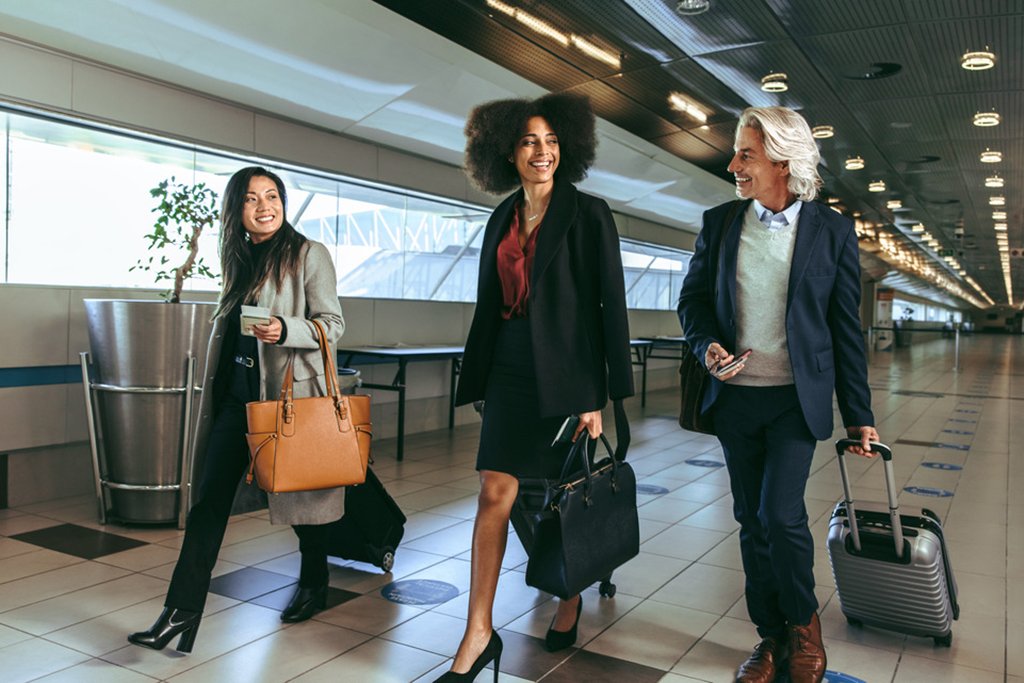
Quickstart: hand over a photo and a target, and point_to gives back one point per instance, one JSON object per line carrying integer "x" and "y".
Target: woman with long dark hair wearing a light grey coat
{"x": 266, "y": 263}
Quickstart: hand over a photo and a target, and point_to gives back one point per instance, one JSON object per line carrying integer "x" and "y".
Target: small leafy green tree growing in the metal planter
{"x": 184, "y": 211}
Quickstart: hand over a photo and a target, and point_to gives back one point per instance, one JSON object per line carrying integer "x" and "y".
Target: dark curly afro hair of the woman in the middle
{"x": 494, "y": 129}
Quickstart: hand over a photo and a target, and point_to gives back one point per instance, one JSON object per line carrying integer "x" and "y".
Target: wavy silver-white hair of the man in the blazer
{"x": 788, "y": 138}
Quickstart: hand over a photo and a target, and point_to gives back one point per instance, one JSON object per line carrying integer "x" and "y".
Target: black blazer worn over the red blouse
{"x": 577, "y": 308}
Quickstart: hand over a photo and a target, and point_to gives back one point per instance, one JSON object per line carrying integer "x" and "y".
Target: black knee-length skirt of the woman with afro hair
{"x": 515, "y": 439}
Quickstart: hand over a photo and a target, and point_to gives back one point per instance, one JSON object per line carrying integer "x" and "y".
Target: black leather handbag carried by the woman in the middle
{"x": 589, "y": 525}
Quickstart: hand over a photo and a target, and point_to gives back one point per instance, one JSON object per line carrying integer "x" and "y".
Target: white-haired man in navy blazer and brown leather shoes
{"x": 780, "y": 275}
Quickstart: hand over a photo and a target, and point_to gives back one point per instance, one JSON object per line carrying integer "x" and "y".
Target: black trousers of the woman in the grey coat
{"x": 226, "y": 462}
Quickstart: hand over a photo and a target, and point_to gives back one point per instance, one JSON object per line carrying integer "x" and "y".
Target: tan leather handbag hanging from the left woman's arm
{"x": 310, "y": 444}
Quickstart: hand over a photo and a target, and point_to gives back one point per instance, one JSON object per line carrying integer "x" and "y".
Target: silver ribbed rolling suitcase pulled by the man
{"x": 891, "y": 567}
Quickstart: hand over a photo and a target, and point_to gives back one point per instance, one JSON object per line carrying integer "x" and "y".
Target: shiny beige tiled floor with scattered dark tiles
{"x": 69, "y": 595}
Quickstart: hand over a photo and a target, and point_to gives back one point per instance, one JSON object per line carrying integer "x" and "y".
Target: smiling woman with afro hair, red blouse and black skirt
{"x": 550, "y": 336}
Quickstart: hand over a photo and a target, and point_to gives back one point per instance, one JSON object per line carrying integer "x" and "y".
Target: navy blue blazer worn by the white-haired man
{"x": 823, "y": 312}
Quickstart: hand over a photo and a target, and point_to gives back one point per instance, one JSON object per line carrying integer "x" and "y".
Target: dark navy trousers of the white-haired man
{"x": 769, "y": 451}
